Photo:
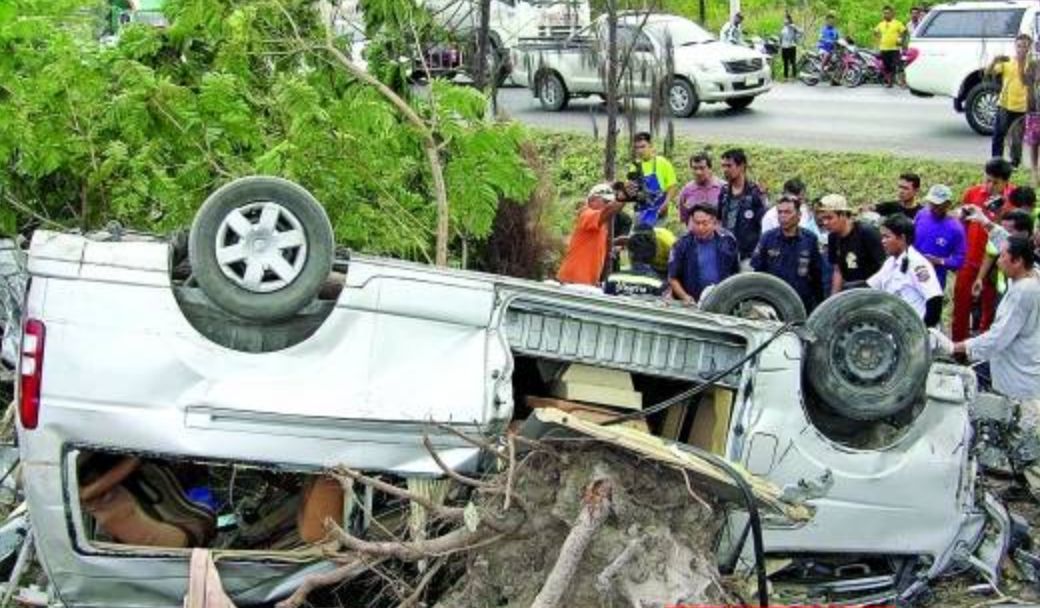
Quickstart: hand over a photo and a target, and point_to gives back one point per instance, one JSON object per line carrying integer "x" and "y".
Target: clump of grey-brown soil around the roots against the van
{"x": 673, "y": 534}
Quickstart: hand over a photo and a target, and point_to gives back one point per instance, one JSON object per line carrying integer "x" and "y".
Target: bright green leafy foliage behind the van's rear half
{"x": 144, "y": 130}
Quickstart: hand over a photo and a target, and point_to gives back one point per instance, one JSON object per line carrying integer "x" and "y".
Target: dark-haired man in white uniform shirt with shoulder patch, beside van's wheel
{"x": 906, "y": 273}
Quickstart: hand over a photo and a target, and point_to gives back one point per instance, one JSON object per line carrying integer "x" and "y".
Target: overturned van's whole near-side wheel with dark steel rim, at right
{"x": 871, "y": 356}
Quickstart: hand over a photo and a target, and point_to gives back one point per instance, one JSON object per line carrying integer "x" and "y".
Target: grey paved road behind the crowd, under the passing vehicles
{"x": 820, "y": 118}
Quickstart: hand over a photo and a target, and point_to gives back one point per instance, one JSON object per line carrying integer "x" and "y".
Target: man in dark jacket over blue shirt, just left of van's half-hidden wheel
{"x": 705, "y": 256}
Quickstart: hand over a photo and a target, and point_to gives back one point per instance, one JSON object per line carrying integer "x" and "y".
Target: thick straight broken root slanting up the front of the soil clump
{"x": 596, "y": 507}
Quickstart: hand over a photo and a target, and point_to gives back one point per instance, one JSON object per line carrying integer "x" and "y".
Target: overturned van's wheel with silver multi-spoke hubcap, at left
{"x": 262, "y": 248}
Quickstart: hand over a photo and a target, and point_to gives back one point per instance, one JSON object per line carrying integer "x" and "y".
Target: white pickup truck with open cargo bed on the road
{"x": 667, "y": 56}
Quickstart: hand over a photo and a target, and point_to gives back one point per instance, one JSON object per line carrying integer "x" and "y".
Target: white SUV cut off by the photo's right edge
{"x": 953, "y": 46}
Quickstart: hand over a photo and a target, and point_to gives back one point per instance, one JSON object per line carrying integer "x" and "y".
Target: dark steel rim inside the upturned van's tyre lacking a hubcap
{"x": 866, "y": 355}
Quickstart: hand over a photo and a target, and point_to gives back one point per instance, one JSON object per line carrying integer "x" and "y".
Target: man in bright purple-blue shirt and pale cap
{"x": 940, "y": 237}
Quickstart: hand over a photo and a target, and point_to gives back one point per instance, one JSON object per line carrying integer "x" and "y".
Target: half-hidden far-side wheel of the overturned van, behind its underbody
{"x": 745, "y": 295}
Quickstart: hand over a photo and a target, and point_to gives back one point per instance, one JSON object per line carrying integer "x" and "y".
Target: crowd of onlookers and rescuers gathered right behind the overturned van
{"x": 911, "y": 247}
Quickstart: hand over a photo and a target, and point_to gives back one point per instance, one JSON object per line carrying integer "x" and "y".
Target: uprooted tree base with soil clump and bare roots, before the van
{"x": 576, "y": 524}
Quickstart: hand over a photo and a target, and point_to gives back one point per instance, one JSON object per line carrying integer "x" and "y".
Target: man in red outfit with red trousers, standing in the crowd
{"x": 997, "y": 186}
